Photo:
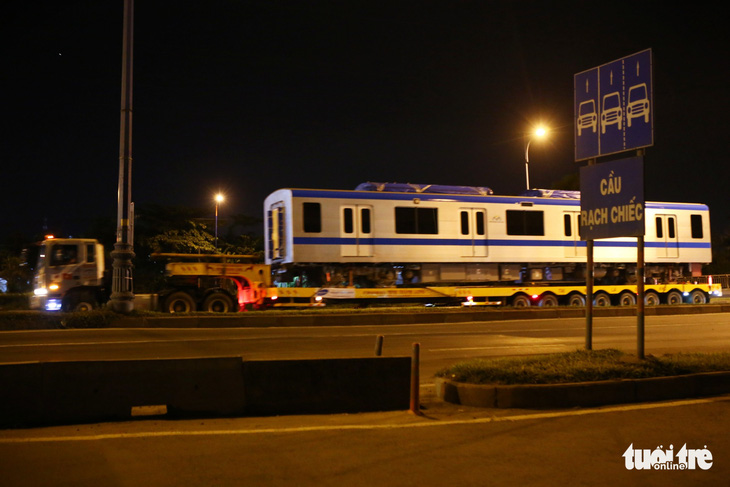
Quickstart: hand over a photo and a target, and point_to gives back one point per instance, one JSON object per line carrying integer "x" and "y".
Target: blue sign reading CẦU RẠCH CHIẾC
{"x": 612, "y": 199}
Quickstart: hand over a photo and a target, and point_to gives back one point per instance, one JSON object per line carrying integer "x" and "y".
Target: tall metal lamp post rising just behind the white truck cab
{"x": 122, "y": 296}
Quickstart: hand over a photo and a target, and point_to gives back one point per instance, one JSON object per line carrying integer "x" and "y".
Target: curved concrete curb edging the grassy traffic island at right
{"x": 583, "y": 394}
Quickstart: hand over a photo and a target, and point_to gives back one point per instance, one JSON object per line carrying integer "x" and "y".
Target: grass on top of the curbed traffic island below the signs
{"x": 581, "y": 366}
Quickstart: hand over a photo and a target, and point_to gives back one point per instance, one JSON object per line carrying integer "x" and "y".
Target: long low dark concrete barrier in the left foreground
{"x": 43, "y": 393}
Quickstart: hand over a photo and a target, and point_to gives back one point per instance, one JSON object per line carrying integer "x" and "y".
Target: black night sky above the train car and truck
{"x": 250, "y": 96}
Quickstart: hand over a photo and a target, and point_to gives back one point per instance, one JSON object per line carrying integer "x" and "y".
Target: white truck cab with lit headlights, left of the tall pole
{"x": 69, "y": 275}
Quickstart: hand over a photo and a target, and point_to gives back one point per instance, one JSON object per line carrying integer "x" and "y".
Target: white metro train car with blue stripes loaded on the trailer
{"x": 389, "y": 234}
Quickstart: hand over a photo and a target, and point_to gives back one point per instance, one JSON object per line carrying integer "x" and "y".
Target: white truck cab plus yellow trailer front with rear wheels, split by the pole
{"x": 71, "y": 275}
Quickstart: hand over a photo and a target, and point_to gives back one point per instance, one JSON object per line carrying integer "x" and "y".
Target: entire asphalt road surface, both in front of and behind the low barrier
{"x": 447, "y": 445}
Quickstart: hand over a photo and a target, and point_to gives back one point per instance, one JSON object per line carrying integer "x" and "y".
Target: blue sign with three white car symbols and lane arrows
{"x": 614, "y": 108}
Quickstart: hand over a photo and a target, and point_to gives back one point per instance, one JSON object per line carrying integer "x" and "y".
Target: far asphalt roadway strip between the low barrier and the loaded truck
{"x": 441, "y": 344}
